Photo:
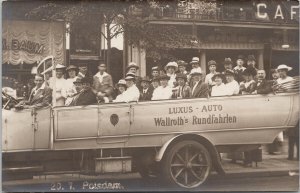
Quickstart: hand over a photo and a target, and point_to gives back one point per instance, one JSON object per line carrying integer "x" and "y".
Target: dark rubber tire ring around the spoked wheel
{"x": 165, "y": 165}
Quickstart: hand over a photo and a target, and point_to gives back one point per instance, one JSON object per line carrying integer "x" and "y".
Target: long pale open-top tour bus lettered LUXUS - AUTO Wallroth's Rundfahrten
{"x": 178, "y": 140}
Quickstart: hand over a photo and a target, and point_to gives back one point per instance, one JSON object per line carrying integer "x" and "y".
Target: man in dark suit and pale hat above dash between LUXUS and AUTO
{"x": 199, "y": 89}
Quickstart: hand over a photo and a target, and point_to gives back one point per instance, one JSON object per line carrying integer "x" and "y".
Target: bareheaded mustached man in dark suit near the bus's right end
{"x": 262, "y": 86}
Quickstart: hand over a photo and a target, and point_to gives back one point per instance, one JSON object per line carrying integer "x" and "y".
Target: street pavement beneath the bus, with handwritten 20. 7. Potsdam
{"x": 274, "y": 173}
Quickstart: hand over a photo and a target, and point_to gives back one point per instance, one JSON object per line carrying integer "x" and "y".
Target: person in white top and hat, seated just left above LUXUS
{"x": 163, "y": 91}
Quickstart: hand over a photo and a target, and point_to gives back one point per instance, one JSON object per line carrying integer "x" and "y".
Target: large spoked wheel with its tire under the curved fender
{"x": 187, "y": 164}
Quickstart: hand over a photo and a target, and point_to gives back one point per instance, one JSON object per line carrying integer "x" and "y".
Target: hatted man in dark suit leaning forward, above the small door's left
{"x": 85, "y": 96}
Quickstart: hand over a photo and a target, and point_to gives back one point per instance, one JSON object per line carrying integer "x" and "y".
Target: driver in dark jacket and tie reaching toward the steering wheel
{"x": 40, "y": 96}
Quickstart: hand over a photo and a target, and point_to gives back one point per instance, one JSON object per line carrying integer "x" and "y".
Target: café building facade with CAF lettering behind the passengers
{"x": 269, "y": 30}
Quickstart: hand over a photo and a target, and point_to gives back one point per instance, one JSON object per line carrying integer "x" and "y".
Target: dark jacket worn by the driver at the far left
{"x": 42, "y": 98}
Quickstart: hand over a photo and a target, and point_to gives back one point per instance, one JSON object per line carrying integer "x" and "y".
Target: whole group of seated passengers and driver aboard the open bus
{"x": 174, "y": 82}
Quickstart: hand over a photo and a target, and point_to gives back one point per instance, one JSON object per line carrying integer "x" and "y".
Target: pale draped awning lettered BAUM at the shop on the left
{"x": 31, "y": 41}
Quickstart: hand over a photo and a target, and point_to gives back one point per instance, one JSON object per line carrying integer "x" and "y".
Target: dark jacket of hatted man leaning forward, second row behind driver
{"x": 86, "y": 97}
